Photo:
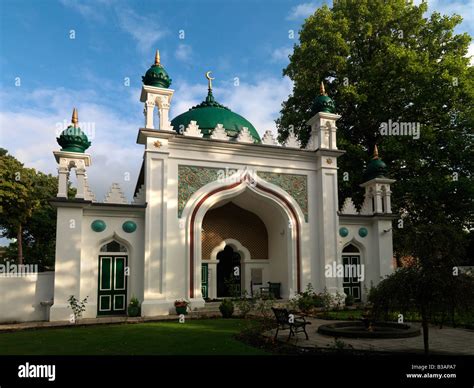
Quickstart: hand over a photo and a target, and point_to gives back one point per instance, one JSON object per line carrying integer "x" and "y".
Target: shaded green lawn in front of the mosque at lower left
{"x": 195, "y": 337}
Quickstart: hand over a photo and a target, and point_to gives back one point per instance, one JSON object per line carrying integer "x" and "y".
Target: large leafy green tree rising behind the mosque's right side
{"x": 384, "y": 61}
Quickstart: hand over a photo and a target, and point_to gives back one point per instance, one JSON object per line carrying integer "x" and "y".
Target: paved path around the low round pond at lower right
{"x": 442, "y": 341}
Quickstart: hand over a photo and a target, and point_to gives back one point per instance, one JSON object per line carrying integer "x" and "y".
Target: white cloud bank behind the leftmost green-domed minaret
{"x": 115, "y": 155}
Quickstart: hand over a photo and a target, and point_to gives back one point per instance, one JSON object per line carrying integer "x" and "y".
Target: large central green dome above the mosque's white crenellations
{"x": 208, "y": 114}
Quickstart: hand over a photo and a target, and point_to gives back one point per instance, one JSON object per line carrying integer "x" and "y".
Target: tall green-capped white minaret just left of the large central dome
{"x": 156, "y": 92}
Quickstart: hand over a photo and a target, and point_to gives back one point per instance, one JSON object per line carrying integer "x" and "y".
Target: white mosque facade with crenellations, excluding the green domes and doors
{"x": 306, "y": 232}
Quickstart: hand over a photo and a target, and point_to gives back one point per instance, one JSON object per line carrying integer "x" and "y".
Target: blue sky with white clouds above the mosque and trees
{"x": 115, "y": 40}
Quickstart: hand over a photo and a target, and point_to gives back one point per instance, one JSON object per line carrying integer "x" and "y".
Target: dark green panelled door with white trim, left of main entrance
{"x": 112, "y": 296}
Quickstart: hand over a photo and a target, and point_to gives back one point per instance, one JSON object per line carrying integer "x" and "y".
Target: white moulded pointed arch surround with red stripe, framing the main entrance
{"x": 215, "y": 192}
